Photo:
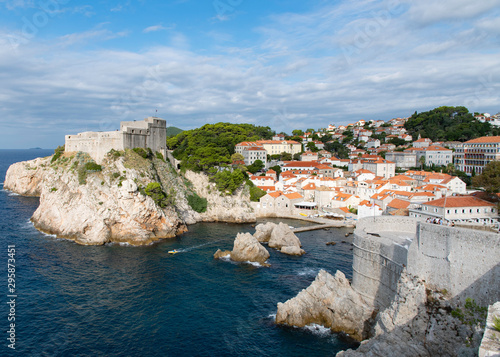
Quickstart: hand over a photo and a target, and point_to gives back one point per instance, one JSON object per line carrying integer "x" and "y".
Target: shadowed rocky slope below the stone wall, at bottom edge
{"x": 418, "y": 323}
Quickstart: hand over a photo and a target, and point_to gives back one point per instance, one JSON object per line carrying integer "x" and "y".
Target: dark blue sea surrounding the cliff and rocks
{"x": 118, "y": 300}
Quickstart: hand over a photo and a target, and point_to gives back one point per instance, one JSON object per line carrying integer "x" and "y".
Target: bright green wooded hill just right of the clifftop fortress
{"x": 213, "y": 144}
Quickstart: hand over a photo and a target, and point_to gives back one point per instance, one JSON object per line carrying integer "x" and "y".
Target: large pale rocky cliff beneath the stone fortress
{"x": 95, "y": 207}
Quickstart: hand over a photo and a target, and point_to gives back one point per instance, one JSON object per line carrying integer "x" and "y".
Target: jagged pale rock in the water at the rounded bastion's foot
{"x": 329, "y": 301}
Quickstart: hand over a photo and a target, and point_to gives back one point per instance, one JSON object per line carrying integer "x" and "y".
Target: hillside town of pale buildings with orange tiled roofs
{"x": 385, "y": 171}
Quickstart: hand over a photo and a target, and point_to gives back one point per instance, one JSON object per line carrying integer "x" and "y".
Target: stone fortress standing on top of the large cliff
{"x": 149, "y": 133}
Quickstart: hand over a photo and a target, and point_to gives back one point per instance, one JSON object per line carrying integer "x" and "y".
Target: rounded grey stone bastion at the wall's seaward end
{"x": 380, "y": 253}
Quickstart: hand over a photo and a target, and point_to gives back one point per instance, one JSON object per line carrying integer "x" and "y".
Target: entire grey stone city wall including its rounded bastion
{"x": 464, "y": 262}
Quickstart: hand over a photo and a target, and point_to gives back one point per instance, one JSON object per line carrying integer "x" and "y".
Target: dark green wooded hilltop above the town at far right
{"x": 448, "y": 124}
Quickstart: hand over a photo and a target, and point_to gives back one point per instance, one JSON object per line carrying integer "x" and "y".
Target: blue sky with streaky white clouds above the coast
{"x": 70, "y": 66}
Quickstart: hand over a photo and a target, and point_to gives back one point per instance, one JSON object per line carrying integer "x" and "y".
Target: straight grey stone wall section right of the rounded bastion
{"x": 465, "y": 262}
